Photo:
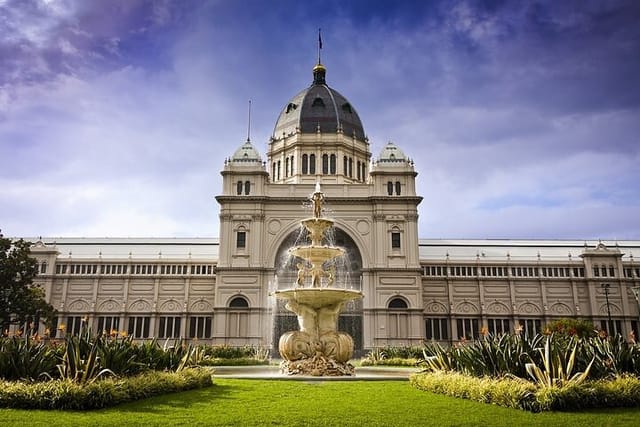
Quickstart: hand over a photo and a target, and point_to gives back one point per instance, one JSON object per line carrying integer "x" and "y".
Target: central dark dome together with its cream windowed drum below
{"x": 318, "y": 137}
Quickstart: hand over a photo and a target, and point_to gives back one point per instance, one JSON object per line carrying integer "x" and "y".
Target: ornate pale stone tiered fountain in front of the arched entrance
{"x": 318, "y": 348}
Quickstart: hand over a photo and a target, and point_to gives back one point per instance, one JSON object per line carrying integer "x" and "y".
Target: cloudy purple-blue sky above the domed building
{"x": 522, "y": 117}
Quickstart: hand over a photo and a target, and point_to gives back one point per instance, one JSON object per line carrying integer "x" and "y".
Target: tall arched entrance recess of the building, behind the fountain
{"x": 348, "y": 275}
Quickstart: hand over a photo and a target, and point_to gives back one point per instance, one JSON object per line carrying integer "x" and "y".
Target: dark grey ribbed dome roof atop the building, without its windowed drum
{"x": 319, "y": 106}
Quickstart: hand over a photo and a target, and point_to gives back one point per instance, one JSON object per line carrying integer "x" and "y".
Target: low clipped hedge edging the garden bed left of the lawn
{"x": 67, "y": 394}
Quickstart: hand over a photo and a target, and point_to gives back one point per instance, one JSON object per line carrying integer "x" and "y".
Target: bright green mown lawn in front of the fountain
{"x": 294, "y": 403}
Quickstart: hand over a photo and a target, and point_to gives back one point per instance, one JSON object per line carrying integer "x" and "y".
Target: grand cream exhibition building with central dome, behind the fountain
{"x": 219, "y": 290}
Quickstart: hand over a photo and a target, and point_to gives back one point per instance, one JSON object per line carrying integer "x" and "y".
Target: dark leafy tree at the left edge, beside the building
{"x": 21, "y": 301}
